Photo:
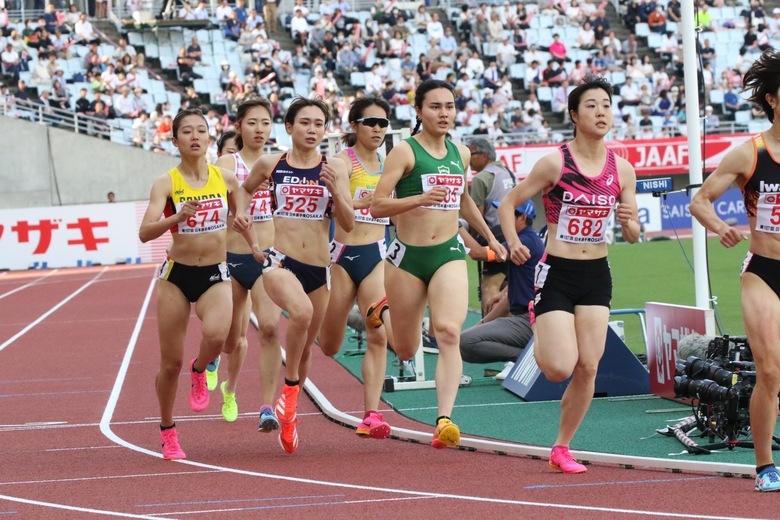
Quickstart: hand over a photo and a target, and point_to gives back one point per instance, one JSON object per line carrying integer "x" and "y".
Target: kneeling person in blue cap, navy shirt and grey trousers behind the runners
{"x": 506, "y": 329}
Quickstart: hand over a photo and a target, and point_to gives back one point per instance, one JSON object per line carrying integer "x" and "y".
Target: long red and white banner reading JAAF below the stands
{"x": 649, "y": 157}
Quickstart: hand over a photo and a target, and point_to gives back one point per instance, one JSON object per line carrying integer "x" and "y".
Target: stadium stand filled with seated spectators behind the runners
{"x": 512, "y": 65}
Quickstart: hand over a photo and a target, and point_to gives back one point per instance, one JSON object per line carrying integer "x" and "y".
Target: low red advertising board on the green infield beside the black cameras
{"x": 667, "y": 324}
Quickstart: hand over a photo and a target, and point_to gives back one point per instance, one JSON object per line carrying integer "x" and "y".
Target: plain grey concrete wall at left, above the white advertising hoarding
{"x": 44, "y": 166}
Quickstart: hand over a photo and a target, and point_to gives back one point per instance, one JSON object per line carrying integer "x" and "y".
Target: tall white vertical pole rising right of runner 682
{"x": 690, "y": 74}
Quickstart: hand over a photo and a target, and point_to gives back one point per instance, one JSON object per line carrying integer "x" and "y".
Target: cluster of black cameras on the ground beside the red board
{"x": 719, "y": 388}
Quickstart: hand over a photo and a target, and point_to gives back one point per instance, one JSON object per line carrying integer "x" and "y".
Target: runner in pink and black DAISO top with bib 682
{"x": 581, "y": 183}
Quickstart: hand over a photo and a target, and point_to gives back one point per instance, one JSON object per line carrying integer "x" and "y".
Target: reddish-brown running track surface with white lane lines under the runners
{"x": 79, "y": 436}
